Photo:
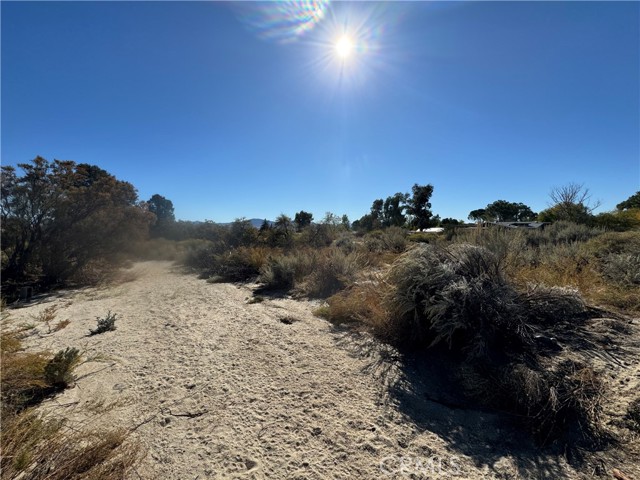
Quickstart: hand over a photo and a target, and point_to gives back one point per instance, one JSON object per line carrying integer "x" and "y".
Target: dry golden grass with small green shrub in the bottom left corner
{"x": 37, "y": 448}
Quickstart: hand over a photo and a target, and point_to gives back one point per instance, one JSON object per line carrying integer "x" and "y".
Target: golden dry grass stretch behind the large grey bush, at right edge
{"x": 605, "y": 268}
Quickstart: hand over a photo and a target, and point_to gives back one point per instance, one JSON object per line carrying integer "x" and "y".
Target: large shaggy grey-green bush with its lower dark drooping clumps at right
{"x": 459, "y": 297}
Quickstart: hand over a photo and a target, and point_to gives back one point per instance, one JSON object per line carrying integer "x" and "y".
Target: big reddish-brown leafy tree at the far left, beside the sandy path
{"x": 58, "y": 216}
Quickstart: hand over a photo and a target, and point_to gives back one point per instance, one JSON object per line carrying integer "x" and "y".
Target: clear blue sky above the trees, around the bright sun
{"x": 228, "y": 111}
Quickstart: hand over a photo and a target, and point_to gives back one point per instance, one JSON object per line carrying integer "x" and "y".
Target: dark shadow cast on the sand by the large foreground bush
{"x": 419, "y": 386}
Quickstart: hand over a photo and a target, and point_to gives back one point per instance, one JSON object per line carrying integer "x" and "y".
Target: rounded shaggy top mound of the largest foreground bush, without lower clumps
{"x": 434, "y": 286}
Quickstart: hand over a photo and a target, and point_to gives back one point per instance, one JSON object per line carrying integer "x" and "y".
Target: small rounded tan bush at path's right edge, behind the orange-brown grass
{"x": 332, "y": 272}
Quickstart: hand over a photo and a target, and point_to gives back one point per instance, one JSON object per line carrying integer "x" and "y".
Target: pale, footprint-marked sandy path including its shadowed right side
{"x": 215, "y": 387}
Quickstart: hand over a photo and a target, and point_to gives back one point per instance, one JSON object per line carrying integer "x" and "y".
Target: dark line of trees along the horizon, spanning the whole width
{"x": 62, "y": 218}
